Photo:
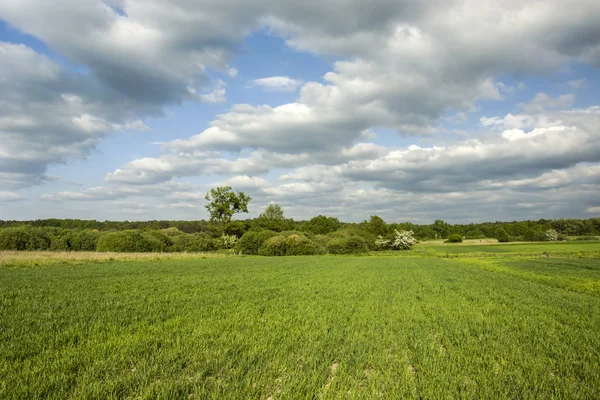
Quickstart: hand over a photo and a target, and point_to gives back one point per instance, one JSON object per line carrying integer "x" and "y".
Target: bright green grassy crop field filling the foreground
{"x": 410, "y": 325}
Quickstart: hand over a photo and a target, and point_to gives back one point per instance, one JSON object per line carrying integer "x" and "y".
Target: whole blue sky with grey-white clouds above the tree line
{"x": 467, "y": 111}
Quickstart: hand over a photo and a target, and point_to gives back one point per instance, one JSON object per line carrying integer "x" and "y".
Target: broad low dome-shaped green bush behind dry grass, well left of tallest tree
{"x": 130, "y": 241}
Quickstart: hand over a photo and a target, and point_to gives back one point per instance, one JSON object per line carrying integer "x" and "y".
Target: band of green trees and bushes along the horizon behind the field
{"x": 319, "y": 234}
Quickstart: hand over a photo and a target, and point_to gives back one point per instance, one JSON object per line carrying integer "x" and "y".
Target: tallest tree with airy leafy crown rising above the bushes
{"x": 223, "y": 203}
